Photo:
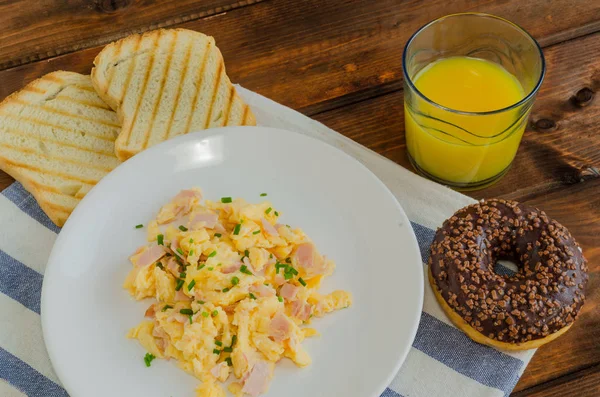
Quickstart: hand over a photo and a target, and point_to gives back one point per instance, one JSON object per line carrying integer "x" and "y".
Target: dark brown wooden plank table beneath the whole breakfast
{"x": 340, "y": 63}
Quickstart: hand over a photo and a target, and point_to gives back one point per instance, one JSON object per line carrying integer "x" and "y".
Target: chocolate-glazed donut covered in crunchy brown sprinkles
{"x": 523, "y": 311}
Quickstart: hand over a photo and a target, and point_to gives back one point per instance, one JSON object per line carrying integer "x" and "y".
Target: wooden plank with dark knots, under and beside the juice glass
{"x": 546, "y": 160}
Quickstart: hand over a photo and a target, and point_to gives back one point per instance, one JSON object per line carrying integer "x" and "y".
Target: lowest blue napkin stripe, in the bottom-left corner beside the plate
{"x": 27, "y": 379}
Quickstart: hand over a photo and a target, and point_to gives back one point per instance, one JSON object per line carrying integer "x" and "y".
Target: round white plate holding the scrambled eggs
{"x": 352, "y": 217}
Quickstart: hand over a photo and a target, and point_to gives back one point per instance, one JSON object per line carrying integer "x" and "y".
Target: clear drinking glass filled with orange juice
{"x": 468, "y": 150}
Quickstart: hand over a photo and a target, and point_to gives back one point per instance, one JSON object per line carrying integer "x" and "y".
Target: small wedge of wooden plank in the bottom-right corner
{"x": 585, "y": 383}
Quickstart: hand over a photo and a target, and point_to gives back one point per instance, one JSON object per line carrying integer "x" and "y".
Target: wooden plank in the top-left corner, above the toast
{"x": 35, "y": 30}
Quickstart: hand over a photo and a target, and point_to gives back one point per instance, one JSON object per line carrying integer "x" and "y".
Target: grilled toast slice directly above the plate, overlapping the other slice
{"x": 166, "y": 83}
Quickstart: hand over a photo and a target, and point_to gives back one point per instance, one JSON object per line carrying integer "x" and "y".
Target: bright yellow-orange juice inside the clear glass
{"x": 464, "y": 141}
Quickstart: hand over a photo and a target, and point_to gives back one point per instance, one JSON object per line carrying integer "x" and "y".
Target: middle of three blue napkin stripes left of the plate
{"x": 20, "y": 282}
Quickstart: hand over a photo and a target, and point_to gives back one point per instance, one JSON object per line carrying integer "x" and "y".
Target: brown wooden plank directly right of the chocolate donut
{"x": 578, "y": 208}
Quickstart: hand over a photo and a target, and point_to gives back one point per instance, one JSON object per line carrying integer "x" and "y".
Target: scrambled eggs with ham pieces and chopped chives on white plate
{"x": 234, "y": 289}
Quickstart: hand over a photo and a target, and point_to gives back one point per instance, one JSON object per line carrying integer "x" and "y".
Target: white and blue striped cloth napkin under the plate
{"x": 442, "y": 361}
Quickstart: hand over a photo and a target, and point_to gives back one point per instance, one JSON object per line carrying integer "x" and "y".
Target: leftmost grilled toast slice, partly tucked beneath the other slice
{"x": 57, "y": 138}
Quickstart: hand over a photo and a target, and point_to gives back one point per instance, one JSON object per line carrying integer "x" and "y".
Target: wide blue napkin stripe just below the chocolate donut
{"x": 454, "y": 349}
